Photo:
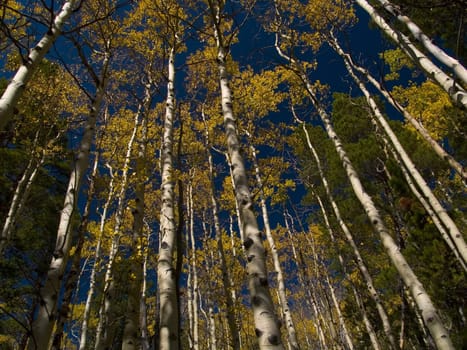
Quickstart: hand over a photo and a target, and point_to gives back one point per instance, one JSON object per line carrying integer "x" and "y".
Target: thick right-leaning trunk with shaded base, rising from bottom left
{"x": 50, "y": 293}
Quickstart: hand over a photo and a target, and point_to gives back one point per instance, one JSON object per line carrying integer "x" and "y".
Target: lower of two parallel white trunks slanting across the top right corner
{"x": 455, "y": 91}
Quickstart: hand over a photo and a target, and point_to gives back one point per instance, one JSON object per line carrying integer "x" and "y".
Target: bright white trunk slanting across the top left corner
{"x": 15, "y": 88}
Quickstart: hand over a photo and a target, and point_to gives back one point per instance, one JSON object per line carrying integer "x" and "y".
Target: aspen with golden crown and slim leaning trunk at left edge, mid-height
{"x": 42, "y": 109}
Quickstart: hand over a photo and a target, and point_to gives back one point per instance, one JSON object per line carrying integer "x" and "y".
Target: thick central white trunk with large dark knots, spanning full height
{"x": 266, "y": 323}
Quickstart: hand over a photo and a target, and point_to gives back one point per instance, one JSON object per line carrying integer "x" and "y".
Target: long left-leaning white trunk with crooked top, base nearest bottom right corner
{"x": 429, "y": 312}
